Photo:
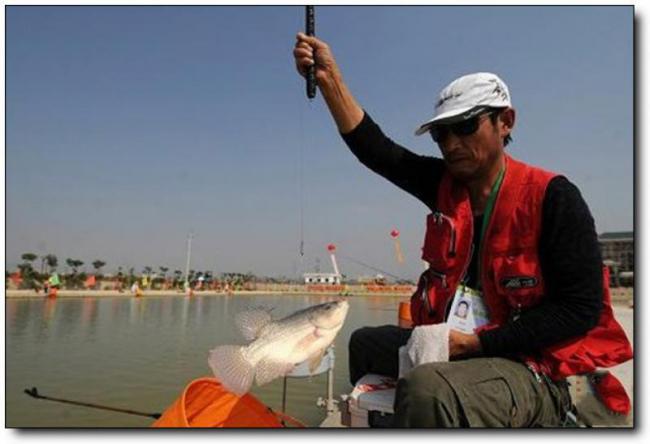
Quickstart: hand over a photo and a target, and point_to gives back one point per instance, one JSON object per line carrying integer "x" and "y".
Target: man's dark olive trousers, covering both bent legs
{"x": 477, "y": 392}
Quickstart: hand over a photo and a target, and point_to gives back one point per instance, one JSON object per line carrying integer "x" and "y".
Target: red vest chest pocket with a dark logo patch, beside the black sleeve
{"x": 518, "y": 277}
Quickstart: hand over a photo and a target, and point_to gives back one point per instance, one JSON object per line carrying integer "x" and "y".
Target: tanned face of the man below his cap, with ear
{"x": 471, "y": 156}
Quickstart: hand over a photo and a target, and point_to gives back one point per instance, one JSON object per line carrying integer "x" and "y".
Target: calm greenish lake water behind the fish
{"x": 139, "y": 353}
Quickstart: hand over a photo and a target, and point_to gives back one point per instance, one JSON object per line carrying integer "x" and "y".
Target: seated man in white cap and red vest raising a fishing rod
{"x": 515, "y": 238}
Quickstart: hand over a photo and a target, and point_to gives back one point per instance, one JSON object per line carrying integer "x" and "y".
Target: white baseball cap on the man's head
{"x": 466, "y": 97}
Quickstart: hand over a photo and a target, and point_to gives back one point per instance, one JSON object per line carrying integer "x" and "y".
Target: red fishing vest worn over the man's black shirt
{"x": 510, "y": 274}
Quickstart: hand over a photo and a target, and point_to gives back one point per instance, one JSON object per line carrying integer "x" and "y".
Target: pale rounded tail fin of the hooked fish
{"x": 231, "y": 368}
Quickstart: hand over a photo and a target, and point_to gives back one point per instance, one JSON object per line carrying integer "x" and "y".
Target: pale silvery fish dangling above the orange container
{"x": 277, "y": 346}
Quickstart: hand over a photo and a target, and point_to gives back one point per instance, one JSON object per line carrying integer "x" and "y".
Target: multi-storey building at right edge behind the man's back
{"x": 617, "y": 250}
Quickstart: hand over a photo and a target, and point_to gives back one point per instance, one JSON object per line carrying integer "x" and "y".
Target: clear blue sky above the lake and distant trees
{"x": 127, "y": 127}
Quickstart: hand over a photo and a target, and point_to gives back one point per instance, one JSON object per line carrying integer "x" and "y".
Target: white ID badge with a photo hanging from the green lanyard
{"x": 468, "y": 311}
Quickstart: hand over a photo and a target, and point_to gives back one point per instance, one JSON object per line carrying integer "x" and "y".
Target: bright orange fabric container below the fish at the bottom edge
{"x": 206, "y": 403}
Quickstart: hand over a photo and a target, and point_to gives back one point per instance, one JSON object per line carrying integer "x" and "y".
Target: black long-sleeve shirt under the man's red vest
{"x": 568, "y": 248}
